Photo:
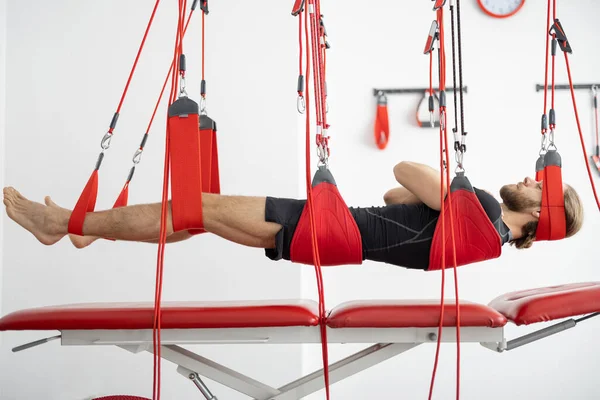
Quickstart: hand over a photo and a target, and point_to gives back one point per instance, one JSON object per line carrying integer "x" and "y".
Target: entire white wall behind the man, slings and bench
{"x": 379, "y": 44}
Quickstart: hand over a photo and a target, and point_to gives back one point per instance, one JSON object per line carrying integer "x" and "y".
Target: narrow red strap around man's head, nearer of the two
{"x": 552, "y": 223}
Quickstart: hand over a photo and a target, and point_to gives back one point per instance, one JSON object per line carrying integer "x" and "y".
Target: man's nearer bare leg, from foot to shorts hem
{"x": 238, "y": 219}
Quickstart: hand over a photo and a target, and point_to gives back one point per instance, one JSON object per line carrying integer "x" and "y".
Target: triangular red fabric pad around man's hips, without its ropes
{"x": 338, "y": 237}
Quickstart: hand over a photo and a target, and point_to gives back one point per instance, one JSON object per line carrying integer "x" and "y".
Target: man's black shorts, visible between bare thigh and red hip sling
{"x": 285, "y": 212}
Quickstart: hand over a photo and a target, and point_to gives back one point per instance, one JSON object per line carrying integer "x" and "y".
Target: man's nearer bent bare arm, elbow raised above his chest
{"x": 421, "y": 181}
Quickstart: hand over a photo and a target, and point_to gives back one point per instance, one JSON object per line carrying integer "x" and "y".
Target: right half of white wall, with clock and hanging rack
{"x": 380, "y": 44}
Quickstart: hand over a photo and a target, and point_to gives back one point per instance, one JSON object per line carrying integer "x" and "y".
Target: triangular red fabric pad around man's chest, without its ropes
{"x": 476, "y": 237}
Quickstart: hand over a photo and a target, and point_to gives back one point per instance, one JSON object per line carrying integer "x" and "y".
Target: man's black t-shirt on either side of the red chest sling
{"x": 402, "y": 234}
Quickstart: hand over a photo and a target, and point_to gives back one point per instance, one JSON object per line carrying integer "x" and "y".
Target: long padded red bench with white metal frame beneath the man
{"x": 394, "y": 326}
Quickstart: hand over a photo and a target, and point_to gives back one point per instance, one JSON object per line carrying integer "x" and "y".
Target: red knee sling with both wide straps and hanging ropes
{"x": 190, "y": 146}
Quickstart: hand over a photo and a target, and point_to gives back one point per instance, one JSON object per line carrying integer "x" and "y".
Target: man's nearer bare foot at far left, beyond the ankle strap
{"x": 48, "y": 223}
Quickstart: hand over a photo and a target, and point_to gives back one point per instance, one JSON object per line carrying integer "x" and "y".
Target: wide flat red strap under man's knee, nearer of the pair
{"x": 186, "y": 169}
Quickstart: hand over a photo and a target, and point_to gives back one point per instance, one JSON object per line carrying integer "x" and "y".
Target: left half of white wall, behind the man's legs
{"x": 67, "y": 65}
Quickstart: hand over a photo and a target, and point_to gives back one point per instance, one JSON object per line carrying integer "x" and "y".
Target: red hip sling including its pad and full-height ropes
{"x": 326, "y": 233}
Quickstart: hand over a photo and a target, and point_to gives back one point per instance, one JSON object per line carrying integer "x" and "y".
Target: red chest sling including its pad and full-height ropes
{"x": 464, "y": 233}
